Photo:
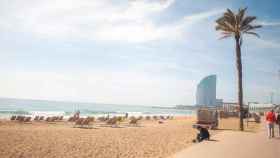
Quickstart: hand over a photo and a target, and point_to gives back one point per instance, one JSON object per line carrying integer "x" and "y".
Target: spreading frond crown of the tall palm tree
{"x": 236, "y": 25}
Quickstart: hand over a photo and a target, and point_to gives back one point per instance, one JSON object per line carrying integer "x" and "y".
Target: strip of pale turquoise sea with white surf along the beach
{"x": 27, "y": 107}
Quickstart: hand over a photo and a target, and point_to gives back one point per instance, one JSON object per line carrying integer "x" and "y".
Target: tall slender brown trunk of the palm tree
{"x": 239, "y": 74}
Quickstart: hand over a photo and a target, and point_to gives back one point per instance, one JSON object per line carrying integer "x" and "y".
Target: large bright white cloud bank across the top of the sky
{"x": 95, "y": 20}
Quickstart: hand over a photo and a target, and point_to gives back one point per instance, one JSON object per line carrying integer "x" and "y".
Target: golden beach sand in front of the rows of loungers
{"x": 61, "y": 140}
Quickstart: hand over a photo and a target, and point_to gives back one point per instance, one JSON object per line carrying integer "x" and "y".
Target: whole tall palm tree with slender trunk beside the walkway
{"x": 237, "y": 25}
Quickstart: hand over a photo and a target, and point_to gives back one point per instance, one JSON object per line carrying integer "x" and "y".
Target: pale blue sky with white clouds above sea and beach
{"x": 144, "y": 52}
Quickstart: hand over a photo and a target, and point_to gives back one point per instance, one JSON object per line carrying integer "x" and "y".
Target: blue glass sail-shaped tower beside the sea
{"x": 206, "y": 92}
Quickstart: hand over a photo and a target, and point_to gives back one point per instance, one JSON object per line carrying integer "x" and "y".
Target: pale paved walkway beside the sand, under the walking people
{"x": 234, "y": 144}
